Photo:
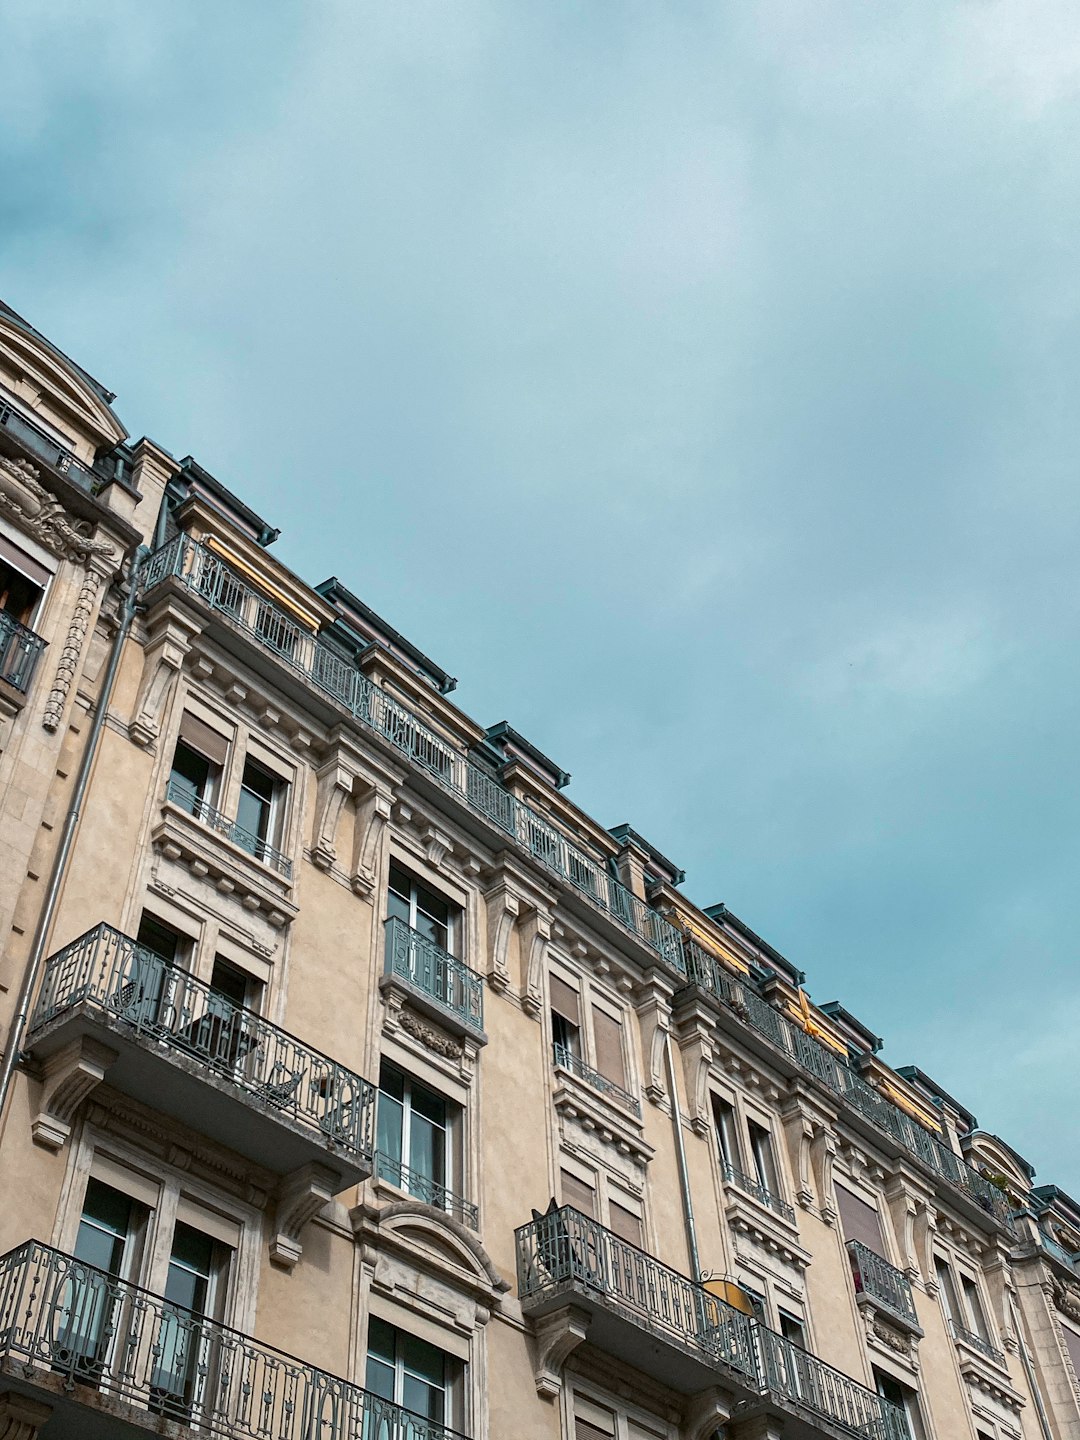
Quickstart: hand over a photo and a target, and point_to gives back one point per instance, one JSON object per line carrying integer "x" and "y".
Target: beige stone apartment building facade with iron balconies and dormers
{"x": 359, "y": 1086}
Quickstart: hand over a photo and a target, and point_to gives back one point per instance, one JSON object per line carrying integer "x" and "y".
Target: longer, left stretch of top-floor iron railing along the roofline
{"x": 205, "y": 575}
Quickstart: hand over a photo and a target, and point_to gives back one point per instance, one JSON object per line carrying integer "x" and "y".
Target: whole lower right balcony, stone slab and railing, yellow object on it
{"x": 667, "y": 1327}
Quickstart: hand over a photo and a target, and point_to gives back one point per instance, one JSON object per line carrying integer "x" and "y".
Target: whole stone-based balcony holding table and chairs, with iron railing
{"x": 217, "y": 1066}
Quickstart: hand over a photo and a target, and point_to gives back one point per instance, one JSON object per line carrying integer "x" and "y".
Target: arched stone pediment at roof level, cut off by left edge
{"x": 66, "y": 397}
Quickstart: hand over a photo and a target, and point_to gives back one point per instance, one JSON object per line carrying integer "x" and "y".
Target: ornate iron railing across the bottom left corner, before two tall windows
{"x": 64, "y": 1318}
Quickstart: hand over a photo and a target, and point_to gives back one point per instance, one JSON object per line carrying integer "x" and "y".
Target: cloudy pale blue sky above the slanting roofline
{"x": 695, "y": 381}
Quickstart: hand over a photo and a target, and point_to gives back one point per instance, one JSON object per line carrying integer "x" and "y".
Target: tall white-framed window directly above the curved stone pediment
{"x": 417, "y": 1138}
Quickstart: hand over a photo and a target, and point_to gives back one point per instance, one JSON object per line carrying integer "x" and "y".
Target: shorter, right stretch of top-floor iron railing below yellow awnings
{"x": 817, "y": 1061}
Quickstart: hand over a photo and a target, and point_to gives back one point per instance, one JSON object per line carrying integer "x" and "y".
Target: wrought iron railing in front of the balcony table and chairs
{"x": 143, "y": 994}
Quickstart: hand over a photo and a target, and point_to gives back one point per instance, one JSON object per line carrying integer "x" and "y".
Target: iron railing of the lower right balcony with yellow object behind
{"x": 567, "y": 1248}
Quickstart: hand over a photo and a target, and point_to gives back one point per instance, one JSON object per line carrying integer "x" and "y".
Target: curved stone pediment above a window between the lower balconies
{"x": 433, "y": 1242}
